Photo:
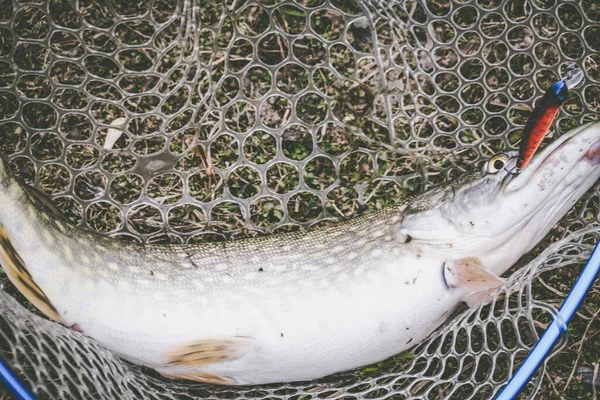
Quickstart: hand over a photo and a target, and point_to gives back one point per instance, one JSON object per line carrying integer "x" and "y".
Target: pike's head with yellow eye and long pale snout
{"x": 497, "y": 214}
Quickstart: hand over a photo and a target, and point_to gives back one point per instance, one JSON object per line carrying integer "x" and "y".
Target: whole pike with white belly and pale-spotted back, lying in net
{"x": 295, "y": 306}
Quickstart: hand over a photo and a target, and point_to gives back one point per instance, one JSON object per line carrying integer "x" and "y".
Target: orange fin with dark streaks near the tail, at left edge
{"x": 17, "y": 272}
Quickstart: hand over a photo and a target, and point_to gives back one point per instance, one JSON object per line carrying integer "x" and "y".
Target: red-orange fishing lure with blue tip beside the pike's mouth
{"x": 543, "y": 115}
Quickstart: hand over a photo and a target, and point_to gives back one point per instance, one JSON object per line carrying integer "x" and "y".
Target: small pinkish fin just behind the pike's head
{"x": 469, "y": 275}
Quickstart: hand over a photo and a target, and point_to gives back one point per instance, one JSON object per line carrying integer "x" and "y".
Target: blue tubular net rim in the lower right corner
{"x": 558, "y": 327}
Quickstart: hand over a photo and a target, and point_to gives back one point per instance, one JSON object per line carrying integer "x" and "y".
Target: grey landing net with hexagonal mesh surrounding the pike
{"x": 200, "y": 120}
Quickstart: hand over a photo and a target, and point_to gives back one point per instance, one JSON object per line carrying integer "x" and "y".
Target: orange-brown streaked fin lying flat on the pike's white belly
{"x": 208, "y": 351}
